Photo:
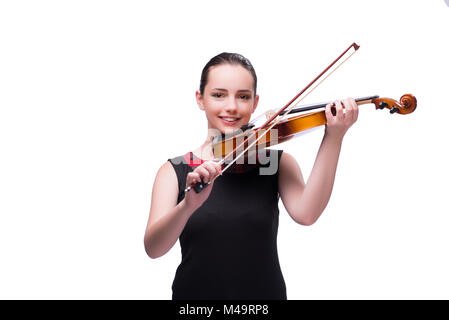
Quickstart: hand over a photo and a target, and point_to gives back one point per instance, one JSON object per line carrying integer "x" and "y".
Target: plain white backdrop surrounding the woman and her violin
{"x": 96, "y": 95}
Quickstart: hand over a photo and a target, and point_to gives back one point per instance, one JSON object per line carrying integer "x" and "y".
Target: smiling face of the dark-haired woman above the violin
{"x": 229, "y": 98}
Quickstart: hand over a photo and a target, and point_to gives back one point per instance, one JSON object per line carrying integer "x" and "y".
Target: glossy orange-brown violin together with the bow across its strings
{"x": 278, "y": 128}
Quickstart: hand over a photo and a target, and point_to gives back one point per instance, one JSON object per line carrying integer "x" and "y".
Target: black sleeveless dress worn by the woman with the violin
{"x": 229, "y": 245}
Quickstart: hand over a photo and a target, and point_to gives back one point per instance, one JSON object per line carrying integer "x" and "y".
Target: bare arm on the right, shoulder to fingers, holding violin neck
{"x": 306, "y": 202}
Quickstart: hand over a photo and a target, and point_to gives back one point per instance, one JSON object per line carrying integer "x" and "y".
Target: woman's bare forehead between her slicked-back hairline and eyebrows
{"x": 231, "y": 77}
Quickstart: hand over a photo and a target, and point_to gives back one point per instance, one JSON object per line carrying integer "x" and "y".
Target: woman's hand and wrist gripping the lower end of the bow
{"x": 205, "y": 173}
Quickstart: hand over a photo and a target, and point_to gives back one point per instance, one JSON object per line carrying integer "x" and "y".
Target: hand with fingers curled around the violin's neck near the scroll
{"x": 347, "y": 112}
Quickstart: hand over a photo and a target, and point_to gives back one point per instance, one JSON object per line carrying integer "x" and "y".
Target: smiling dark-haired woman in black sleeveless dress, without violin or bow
{"x": 228, "y": 231}
